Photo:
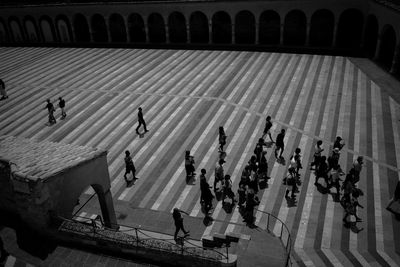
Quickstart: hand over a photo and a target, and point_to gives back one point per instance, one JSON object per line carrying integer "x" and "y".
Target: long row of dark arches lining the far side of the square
{"x": 349, "y": 29}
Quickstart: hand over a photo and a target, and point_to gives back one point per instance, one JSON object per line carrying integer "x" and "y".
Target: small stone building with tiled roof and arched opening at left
{"x": 40, "y": 180}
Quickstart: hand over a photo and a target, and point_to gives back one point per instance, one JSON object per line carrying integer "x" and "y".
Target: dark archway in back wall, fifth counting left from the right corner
{"x": 245, "y": 31}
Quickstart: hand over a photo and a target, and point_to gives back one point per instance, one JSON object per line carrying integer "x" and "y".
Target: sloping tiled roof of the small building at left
{"x": 39, "y": 160}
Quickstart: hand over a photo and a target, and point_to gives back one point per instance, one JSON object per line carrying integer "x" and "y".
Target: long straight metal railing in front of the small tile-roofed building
{"x": 136, "y": 237}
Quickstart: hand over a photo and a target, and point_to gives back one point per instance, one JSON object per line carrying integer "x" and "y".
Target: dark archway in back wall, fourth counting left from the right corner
{"x": 269, "y": 28}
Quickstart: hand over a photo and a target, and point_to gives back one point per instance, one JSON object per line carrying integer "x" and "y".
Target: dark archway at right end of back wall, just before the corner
{"x": 350, "y": 28}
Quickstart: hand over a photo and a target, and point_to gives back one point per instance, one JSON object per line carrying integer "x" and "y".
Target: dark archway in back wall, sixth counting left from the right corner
{"x": 221, "y": 28}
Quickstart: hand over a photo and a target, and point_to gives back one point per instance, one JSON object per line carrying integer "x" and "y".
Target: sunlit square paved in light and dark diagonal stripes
{"x": 186, "y": 96}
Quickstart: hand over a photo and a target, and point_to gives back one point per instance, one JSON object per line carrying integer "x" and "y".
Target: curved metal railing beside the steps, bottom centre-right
{"x": 282, "y": 232}
